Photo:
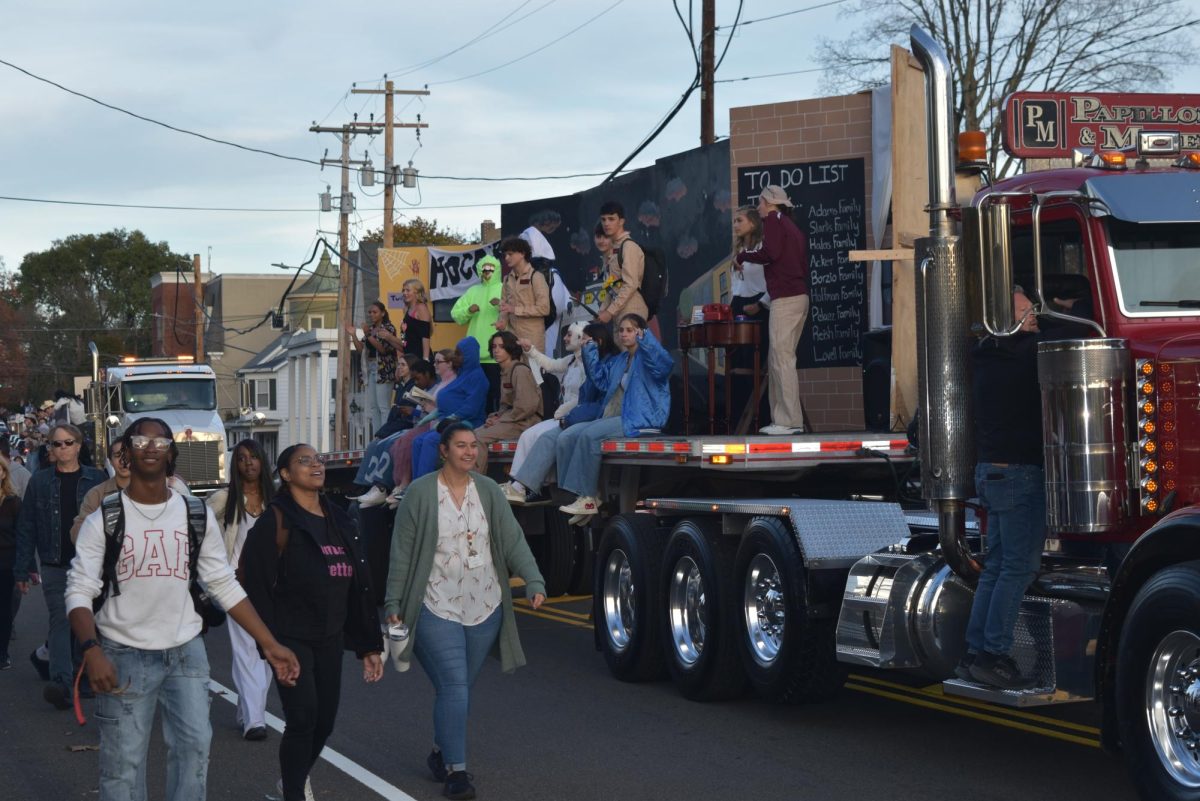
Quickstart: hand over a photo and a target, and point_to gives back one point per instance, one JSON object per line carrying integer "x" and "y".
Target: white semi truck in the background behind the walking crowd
{"x": 175, "y": 390}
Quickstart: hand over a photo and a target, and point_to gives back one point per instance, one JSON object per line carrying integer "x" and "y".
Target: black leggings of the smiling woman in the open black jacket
{"x": 309, "y": 709}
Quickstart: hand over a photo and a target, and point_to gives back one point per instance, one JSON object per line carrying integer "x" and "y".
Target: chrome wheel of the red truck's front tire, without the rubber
{"x": 1173, "y": 707}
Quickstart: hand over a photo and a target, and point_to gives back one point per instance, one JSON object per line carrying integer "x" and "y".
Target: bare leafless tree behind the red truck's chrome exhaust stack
{"x": 999, "y": 47}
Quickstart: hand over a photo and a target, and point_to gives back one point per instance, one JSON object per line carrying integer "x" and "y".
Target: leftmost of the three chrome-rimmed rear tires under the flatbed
{"x": 627, "y": 595}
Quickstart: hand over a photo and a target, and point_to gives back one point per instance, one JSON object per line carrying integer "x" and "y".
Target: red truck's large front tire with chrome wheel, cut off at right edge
{"x": 1159, "y": 668}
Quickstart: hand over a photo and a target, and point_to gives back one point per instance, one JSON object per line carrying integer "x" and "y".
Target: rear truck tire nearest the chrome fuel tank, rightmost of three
{"x": 788, "y": 658}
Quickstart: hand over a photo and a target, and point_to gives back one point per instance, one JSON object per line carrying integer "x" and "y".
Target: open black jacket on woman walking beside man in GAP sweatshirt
{"x": 291, "y": 591}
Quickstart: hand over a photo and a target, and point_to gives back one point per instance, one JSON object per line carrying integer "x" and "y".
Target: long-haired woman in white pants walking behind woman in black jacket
{"x": 237, "y": 509}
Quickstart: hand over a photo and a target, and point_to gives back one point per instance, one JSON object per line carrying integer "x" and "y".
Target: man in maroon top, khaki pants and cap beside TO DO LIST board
{"x": 784, "y": 254}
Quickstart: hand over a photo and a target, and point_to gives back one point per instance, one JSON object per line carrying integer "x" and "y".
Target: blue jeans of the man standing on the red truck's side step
{"x": 1015, "y": 498}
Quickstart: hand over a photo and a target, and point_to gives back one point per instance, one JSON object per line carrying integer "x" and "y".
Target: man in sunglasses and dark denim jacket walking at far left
{"x": 47, "y": 513}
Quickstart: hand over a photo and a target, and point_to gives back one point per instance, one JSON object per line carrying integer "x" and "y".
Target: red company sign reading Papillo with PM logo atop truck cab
{"x": 1052, "y": 125}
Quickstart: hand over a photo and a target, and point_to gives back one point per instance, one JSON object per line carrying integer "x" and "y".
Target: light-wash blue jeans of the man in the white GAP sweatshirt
{"x": 176, "y": 679}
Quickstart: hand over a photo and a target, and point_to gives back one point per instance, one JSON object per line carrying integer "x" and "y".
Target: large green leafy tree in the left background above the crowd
{"x": 91, "y": 288}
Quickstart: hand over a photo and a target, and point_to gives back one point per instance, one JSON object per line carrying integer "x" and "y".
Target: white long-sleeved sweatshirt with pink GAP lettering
{"x": 154, "y": 611}
